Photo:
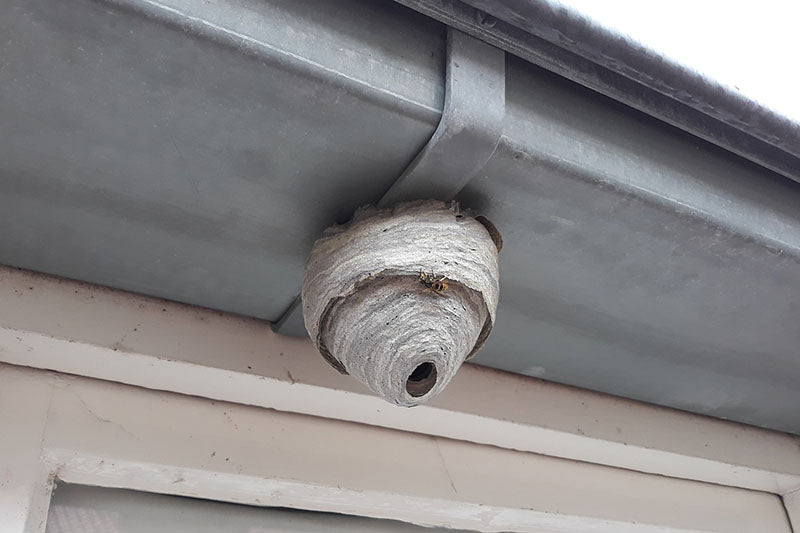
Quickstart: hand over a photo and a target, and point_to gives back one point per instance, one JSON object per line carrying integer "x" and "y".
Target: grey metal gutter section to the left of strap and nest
{"x": 195, "y": 150}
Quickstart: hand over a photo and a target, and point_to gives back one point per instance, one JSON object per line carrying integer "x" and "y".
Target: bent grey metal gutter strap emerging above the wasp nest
{"x": 466, "y": 137}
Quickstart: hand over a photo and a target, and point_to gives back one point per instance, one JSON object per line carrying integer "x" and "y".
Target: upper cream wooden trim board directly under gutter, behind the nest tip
{"x": 72, "y": 327}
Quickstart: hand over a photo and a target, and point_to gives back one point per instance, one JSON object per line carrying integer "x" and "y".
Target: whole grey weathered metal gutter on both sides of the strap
{"x": 162, "y": 152}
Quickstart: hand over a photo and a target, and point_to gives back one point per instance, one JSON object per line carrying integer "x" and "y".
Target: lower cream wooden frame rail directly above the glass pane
{"x": 114, "y": 435}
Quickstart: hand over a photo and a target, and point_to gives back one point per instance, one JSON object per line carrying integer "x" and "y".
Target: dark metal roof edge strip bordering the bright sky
{"x": 563, "y": 41}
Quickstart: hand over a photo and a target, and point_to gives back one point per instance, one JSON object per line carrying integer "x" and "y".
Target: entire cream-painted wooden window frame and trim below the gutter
{"x": 107, "y": 388}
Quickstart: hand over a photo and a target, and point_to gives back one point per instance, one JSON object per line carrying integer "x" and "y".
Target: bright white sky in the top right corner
{"x": 750, "y": 47}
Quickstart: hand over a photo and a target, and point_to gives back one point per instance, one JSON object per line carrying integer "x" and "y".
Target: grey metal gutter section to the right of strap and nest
{"x": 640, "y": 261}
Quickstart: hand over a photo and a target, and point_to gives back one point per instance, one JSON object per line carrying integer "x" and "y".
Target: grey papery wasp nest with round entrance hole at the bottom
{"x": 400, "y": 297}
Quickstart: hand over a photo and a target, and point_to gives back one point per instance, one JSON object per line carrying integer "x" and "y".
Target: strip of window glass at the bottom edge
{"x": 82, "y": 509}
